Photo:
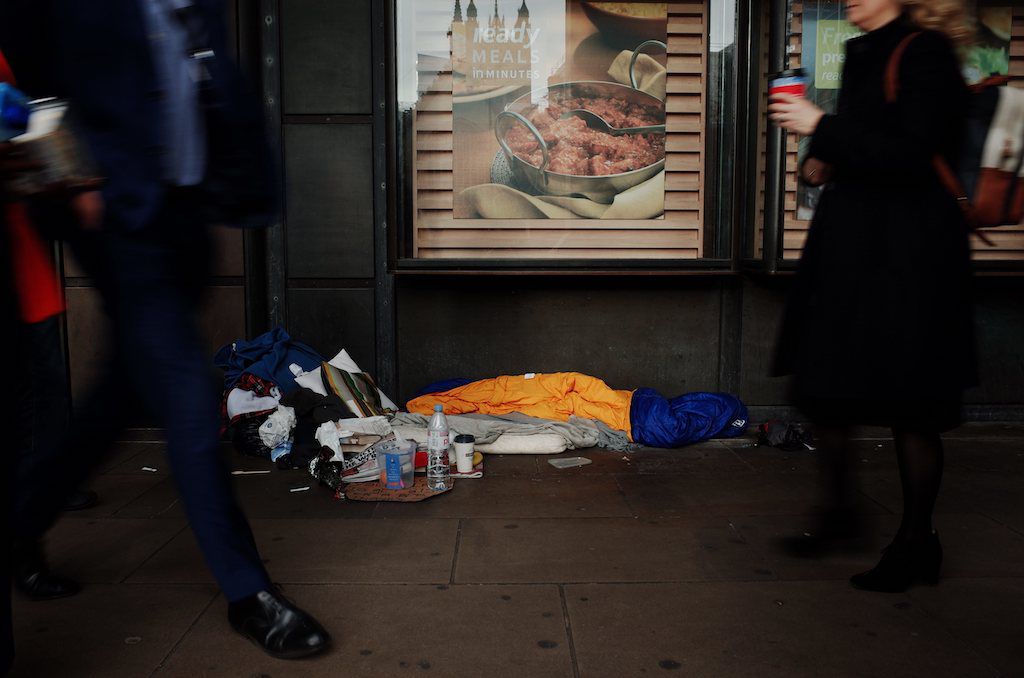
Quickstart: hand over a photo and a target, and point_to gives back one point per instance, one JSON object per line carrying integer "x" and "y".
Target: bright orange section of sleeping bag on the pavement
{"x": 546, "y": 396}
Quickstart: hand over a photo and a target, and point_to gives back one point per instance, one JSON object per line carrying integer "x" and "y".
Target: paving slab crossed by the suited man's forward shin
{"x": 325, "y": 552}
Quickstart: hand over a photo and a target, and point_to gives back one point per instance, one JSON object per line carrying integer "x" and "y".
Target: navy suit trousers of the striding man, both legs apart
{"x": 152, "y": 282}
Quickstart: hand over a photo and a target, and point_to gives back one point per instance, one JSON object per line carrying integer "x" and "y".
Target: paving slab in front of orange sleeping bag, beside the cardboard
{"x": 593, "y": 496}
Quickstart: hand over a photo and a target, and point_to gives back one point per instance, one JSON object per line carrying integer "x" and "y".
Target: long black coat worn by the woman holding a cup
{"x": 879, "y": 327}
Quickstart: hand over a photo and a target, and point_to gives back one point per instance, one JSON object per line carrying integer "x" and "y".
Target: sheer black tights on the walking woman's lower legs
{"x": 920, "y": 456}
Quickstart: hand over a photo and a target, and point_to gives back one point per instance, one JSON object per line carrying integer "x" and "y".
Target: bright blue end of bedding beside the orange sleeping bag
{"x": 659, "y": 422}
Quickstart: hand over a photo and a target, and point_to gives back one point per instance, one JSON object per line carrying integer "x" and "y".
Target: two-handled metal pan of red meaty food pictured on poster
{"x": 558, "y": 154}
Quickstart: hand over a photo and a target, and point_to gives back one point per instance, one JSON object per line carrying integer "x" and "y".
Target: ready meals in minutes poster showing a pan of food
{"x": 547, "y": 122}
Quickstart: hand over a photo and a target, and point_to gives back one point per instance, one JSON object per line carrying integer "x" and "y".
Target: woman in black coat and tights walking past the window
{"x": 879, "y": 327}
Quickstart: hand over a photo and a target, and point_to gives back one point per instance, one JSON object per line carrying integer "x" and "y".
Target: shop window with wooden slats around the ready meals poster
{"x": 494, "y": 166}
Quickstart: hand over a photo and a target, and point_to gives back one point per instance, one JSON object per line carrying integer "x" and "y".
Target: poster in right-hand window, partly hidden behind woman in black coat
{"x": 826, "y": 32}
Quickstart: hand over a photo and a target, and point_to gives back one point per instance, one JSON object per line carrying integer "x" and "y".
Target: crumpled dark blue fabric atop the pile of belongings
{"x": 269, "y": 357}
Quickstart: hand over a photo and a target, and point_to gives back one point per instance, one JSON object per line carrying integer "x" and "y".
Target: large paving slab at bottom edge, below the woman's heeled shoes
{"x": 759, "y": 630}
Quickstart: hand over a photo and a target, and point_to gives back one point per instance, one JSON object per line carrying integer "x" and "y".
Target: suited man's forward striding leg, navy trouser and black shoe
{"x": 163, "y": 354}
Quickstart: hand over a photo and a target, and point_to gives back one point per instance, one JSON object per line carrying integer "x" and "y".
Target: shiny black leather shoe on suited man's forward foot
{"x": 279, "y": 627}
